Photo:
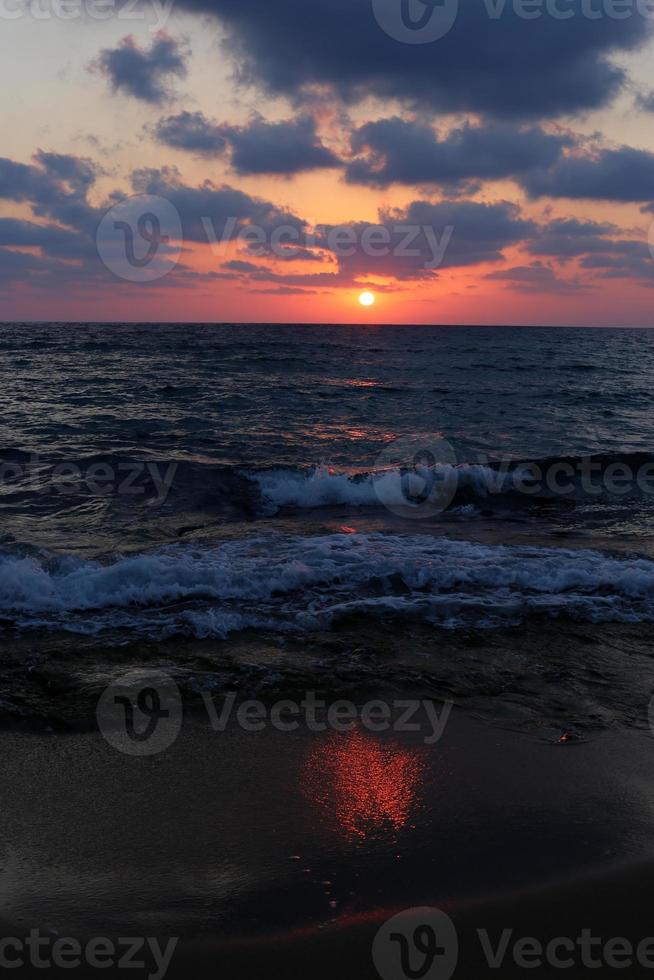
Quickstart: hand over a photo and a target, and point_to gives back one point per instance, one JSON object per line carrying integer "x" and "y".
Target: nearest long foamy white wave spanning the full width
{"x": 306, "y": 583}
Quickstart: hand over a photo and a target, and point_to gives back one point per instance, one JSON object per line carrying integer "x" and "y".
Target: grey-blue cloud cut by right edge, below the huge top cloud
{"x": 623, "y": 174}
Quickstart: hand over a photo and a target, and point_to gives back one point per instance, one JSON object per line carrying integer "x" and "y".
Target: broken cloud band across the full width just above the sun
{"x": 406, "y": 245}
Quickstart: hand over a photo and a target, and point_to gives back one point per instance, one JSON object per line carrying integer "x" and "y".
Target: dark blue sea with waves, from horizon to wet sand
{"x": 254, "y": 505}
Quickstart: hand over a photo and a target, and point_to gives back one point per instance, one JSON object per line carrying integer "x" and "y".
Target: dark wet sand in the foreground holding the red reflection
{"x": 281, "y": 854}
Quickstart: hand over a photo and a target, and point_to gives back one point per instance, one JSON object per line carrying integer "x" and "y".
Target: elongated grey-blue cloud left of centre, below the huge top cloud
{"x": 288, "y": 147}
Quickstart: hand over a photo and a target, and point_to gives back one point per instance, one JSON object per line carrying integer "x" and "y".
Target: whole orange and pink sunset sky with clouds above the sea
{"x": 464, "y": 161}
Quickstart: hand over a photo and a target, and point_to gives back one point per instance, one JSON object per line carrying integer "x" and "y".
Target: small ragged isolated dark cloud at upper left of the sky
{"x": 140, "y": 73}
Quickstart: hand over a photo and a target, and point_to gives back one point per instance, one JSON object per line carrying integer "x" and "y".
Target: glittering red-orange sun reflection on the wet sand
{"x": 366, "y": 786}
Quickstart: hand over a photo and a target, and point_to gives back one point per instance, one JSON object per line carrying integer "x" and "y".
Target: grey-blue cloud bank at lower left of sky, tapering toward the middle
{"x": 56, "y": 187}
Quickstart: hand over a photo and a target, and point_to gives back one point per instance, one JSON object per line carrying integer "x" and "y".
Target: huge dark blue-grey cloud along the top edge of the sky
{"x": 496, "y": 62}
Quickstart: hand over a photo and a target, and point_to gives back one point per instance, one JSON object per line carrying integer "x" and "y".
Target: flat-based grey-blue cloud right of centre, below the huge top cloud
{"x": 399, "y": 151}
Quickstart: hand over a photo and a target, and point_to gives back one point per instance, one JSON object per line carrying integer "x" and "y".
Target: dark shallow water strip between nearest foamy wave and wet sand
{"x": 545, "y": 676}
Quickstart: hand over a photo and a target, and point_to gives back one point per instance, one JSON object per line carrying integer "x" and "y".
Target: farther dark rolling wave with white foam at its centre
{"x": 99, "y": 495}
